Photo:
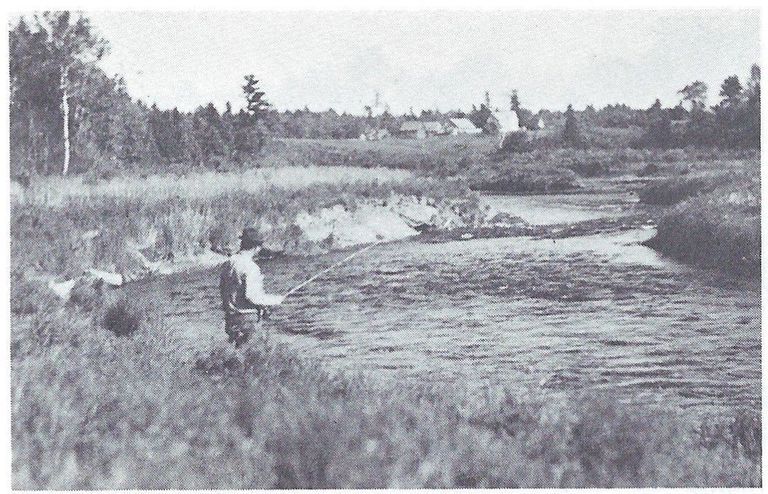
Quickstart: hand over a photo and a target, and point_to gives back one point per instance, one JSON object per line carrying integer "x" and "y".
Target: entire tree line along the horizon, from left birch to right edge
{"x": 67, "y": 115}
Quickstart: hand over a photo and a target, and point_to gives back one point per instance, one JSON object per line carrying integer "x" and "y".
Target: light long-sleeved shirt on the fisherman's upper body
{"x": 242, "y": 283}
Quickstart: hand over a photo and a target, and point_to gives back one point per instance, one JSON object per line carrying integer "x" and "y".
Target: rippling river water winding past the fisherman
{"x": 598, "y": 313}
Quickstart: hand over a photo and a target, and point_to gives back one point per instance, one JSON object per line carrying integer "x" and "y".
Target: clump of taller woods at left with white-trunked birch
{"x": 65, "y": 111}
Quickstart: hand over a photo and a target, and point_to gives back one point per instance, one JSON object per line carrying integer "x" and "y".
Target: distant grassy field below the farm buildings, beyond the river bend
{"x": 476, "y": 160}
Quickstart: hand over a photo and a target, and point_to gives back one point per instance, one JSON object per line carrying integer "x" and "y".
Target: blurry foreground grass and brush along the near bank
{"x": 93, "y": 410}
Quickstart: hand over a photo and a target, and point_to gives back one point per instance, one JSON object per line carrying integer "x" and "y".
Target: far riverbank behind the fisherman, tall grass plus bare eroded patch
{"x": 127, "y": 228}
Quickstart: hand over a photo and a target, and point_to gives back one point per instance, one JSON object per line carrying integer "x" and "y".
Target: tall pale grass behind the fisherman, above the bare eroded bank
{"x": 65, "y": 227}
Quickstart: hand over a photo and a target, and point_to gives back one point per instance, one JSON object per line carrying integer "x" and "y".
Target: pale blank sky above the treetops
{"x": 427, "y": 60}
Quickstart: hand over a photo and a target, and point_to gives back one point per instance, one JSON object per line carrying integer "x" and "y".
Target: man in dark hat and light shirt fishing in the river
{"x": 242, "y": 289}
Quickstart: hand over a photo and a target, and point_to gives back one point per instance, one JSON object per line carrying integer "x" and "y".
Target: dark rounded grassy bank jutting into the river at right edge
{"x": 713, "y": 218}
